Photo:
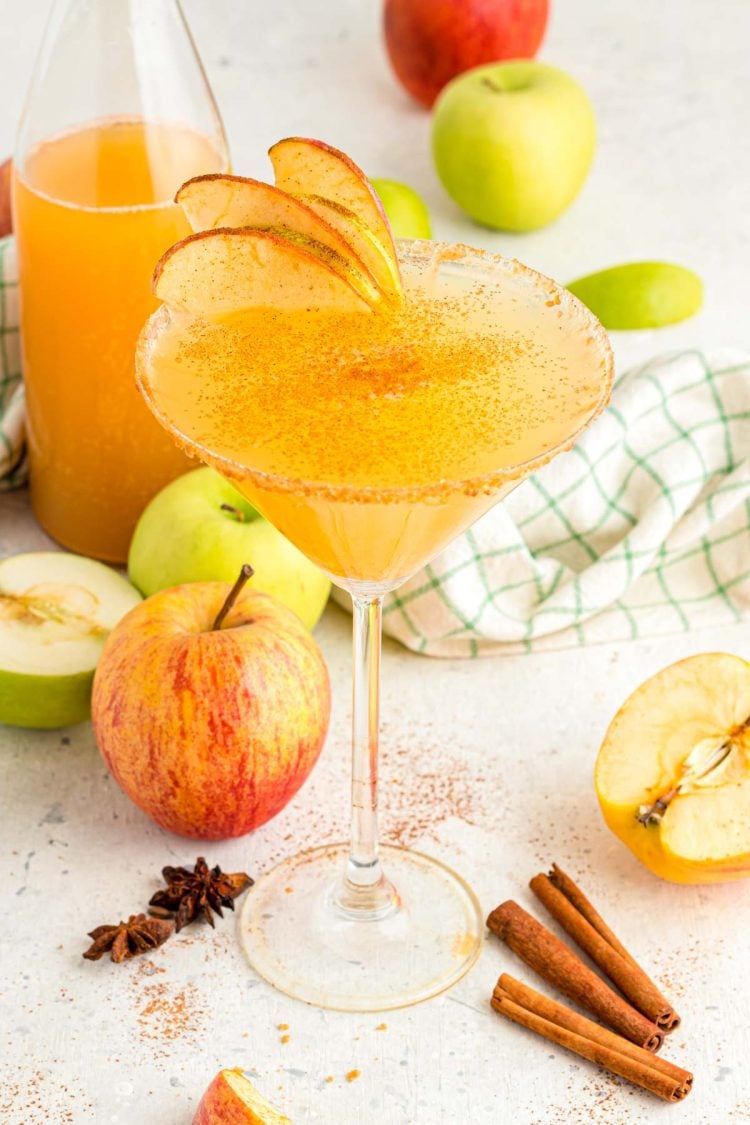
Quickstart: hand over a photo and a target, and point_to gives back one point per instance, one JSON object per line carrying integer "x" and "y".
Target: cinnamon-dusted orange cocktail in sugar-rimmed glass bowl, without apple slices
{"x": 372, "y": 440}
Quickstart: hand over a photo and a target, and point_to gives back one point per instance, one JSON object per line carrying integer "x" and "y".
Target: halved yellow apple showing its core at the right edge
{"x": 673, "y": 776}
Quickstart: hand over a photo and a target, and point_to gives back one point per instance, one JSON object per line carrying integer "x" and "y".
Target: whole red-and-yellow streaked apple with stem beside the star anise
{"x": 211, "y": 731}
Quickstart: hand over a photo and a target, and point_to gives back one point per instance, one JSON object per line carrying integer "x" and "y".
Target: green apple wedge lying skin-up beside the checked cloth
{"x": 640, "y": 295}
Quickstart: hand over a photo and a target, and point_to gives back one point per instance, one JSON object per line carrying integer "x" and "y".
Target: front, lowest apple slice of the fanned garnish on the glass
{"x": 216, "y": 274}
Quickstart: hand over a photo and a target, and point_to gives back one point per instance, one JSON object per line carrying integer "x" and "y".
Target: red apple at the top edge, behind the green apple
{"x": 430, "y": 42}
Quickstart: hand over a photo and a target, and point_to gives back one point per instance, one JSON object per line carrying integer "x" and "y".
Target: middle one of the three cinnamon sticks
{"x": 559, "y": 967}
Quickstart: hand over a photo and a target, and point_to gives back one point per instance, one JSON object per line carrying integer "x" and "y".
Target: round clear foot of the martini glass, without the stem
{"x": 299, "y": 940}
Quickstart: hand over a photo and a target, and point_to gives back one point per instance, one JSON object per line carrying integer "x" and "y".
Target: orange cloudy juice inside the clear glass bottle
{"x": 94, "y": 212}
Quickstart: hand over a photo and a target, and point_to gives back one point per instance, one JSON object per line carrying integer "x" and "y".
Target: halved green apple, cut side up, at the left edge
{"x": 57, "y": 611}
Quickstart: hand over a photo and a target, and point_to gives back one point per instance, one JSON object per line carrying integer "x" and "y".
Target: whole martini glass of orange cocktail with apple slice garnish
{"x": 372, "y": 403}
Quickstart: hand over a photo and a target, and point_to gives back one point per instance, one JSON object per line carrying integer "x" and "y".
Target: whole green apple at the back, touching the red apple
{"x": 513, "y": 143}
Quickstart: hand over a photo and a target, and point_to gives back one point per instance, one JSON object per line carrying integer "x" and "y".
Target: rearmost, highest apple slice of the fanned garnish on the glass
{"x": 317, "y": 172}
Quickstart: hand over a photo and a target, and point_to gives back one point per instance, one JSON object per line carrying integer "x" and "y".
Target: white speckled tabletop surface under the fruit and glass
{"x": 486, "y": 764}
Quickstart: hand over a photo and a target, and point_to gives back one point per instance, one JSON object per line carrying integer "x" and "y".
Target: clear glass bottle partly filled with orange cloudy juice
{"x": 119, "y": 116}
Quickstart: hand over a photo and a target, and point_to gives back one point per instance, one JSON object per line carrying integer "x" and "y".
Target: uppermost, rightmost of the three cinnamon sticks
{"x": 570, "y": 906}
